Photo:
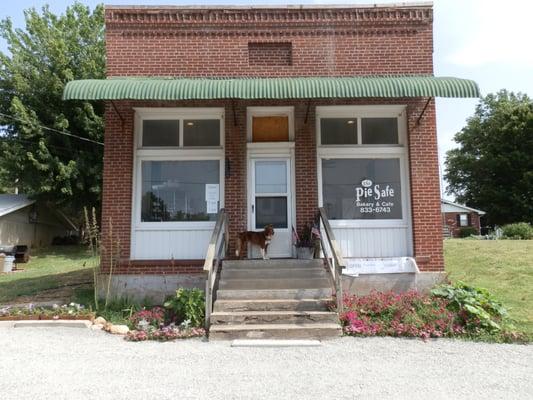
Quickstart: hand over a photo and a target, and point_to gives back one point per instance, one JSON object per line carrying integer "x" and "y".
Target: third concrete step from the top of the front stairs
{"x": 274, "y": 284}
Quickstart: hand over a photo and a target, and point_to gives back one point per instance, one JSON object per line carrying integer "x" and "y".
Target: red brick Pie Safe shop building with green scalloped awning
{"x": 269, "y": 113}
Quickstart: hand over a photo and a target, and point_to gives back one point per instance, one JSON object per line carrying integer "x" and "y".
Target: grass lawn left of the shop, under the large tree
{"x": 57, "y": 268}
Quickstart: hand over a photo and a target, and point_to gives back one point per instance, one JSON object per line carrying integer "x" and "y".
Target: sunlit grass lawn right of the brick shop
{"x": 505, "y": 267}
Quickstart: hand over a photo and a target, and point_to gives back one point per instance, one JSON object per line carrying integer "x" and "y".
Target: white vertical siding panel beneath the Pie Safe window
{"x": 374, "y": 242}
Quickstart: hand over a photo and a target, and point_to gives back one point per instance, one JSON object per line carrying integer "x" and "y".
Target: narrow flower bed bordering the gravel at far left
{"x": 70, "y": 311}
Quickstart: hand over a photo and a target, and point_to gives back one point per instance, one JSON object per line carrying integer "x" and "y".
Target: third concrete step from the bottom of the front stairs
{"x": 272, "y": 305}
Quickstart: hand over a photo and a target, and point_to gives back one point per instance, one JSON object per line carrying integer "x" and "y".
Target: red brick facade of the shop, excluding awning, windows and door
{"x": 215, "y": 42}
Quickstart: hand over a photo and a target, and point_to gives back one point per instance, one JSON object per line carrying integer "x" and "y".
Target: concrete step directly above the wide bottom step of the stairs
{"x": 276, "y": 317}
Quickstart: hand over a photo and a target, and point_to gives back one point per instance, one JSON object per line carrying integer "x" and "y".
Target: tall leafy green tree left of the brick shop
{"x": 52, "y": 50}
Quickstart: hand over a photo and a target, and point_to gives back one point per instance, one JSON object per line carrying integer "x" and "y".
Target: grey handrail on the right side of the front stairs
{"x": 334, "y": 261}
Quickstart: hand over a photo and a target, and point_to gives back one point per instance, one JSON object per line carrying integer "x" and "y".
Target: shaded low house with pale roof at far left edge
{"x": 30, "y": 223}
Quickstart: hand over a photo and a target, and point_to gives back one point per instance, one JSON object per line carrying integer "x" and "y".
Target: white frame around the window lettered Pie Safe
{"x": 370, "y": 151}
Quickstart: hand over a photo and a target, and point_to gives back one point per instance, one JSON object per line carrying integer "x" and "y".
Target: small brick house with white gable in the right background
{"x": 456, "y": 216}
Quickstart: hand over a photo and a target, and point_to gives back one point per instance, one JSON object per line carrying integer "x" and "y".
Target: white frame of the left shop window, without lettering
{"x": 173, "y": 154}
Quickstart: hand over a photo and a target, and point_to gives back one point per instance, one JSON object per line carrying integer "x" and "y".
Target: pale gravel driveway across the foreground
{"x": 70, "y": 363}
